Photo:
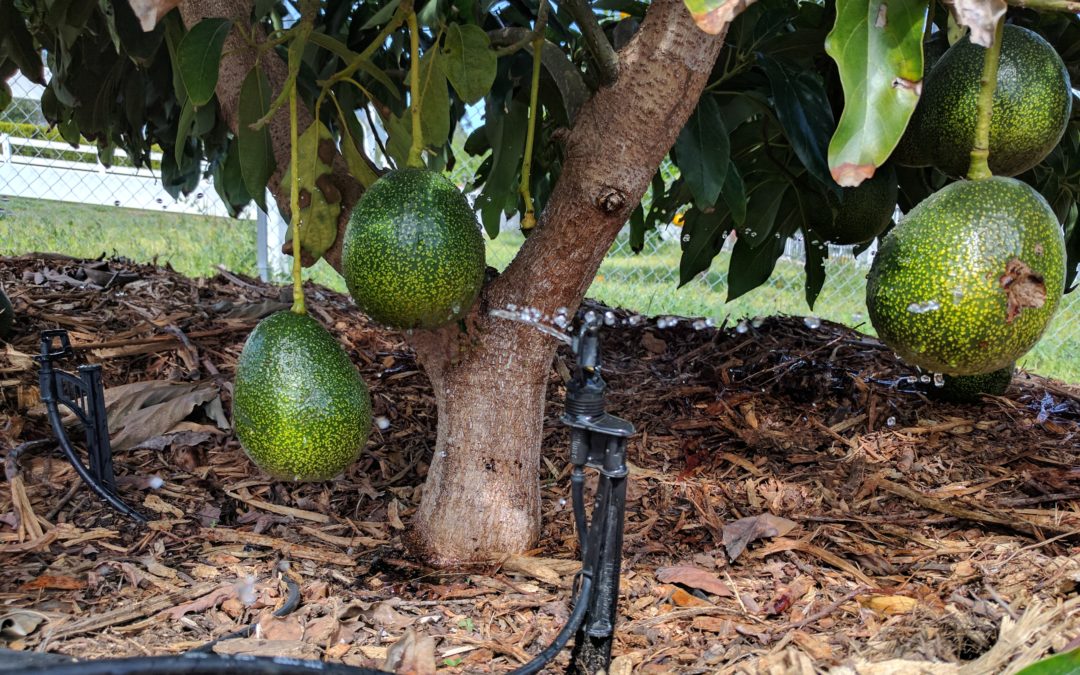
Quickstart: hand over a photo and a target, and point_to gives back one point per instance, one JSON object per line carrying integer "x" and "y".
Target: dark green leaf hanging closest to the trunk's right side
{"x": 704, "y": 154}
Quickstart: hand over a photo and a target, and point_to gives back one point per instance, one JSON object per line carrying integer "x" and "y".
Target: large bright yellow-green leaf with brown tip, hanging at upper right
{"x": 879, "y": 49}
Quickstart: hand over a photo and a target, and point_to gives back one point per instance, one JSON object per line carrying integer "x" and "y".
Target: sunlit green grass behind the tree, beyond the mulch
{"x": 196, "y": 246}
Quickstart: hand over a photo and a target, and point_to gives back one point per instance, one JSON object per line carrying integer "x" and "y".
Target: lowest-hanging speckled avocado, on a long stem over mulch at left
{"x": 301, "y": 410}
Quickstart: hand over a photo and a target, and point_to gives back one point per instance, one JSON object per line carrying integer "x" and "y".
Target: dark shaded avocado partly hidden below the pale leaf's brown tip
{"x": 862, "y": 213}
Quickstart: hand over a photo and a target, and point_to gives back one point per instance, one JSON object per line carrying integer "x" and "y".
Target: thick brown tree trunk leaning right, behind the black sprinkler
{"x": 482, "y": 496}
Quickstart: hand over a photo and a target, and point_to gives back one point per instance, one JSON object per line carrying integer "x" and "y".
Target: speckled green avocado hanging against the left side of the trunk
{"x": 413, "y": 254}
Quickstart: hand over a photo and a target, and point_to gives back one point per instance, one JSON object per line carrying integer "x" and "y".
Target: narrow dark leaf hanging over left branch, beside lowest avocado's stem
{"x": 256, "y": 148}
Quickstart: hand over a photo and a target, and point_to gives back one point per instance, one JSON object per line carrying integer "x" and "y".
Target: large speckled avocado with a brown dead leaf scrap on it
{"x": 937, "y": 292}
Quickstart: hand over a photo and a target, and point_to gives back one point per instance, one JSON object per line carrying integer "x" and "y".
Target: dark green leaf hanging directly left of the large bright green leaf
{"x": 804, "y": 113}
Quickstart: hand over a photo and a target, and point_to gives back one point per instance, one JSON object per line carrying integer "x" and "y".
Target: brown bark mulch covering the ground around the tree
{"x": 798, "y": 504}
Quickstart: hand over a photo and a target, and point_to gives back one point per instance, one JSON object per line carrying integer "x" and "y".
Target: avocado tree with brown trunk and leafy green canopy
{"x": 754, "y": 118}
